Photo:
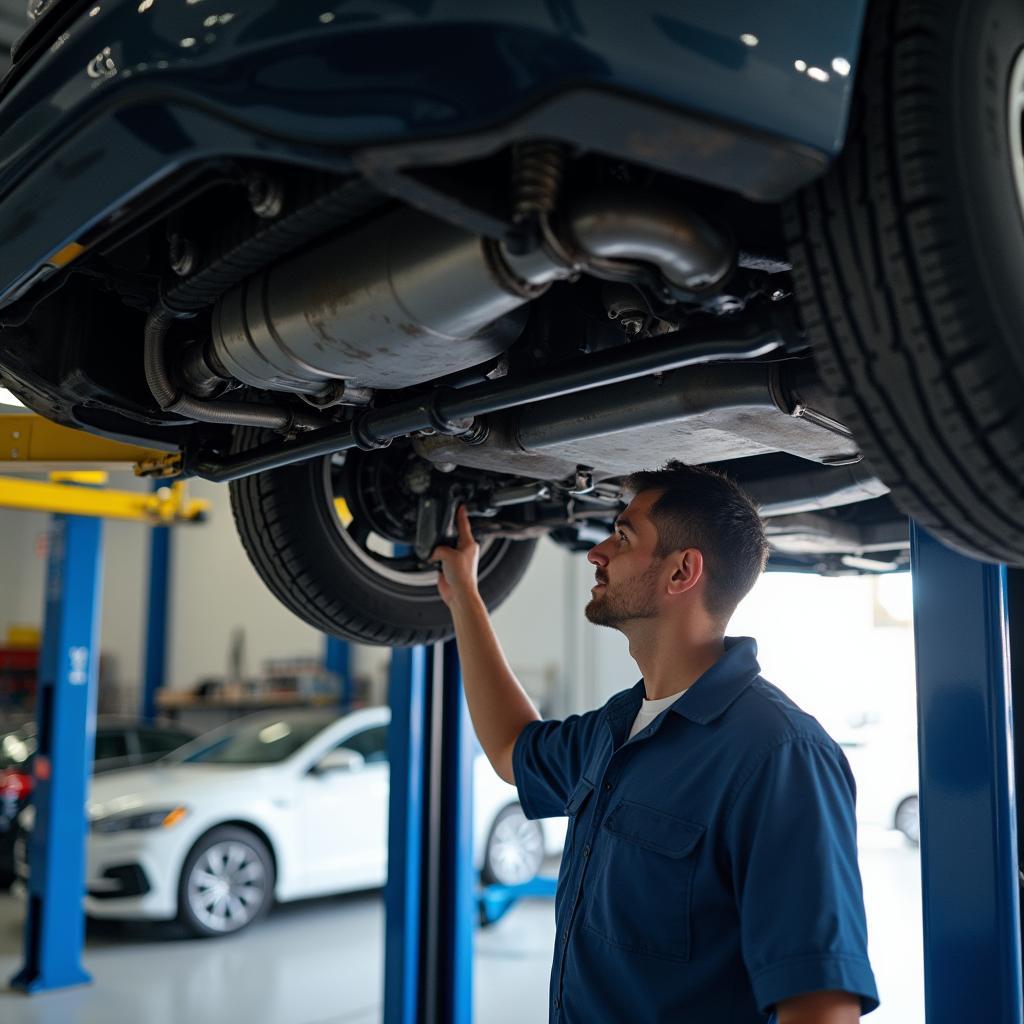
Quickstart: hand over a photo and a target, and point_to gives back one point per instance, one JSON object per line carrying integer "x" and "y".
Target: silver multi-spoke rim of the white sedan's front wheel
{"x": 227, "y": 886}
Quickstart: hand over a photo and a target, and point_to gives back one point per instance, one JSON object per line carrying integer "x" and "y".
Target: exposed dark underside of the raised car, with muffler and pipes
{"x": 523, "y": 375}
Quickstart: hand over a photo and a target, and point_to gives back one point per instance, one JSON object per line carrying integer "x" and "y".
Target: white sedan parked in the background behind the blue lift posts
{"x": 273, "y": 807}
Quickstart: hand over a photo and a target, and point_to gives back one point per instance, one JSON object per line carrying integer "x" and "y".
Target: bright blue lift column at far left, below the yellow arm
{"x": 66, "y": 712}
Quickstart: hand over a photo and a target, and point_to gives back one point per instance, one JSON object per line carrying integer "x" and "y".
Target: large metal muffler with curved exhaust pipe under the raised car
{"x": 409, "y": 298}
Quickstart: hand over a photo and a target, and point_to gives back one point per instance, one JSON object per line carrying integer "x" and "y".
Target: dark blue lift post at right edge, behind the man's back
{"x": 969, "y": 860}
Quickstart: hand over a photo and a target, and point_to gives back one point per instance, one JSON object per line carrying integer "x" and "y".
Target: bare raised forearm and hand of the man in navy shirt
{"x": 498, "y": 704}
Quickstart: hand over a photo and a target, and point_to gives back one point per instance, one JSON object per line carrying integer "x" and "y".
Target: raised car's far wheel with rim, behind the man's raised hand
{"x": 344, "y": 568}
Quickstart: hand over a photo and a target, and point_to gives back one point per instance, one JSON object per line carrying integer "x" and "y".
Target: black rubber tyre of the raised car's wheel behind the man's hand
{"x": 307, "y": 556}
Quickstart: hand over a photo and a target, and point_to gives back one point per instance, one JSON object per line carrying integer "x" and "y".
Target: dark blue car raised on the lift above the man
{"x": 368, "y": 264}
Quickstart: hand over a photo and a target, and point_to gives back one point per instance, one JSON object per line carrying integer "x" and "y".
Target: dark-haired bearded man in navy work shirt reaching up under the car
{"x": 710, "y": 872}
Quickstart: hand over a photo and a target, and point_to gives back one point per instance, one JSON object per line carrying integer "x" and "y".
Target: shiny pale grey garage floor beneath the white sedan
{"x": 321, "y": 962}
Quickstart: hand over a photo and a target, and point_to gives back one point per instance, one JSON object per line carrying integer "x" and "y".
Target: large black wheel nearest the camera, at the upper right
{"x": 909, "y": 260}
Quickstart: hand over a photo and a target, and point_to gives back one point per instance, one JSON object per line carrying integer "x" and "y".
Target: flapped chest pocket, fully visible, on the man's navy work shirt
{"x": 642, "y": 884}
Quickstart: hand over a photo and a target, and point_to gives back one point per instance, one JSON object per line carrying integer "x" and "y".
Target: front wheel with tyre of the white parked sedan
{"x": 227, "y": 883}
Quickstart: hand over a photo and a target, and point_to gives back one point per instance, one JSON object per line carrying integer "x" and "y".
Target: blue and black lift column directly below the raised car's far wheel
{"x": 430, "y": 900}
